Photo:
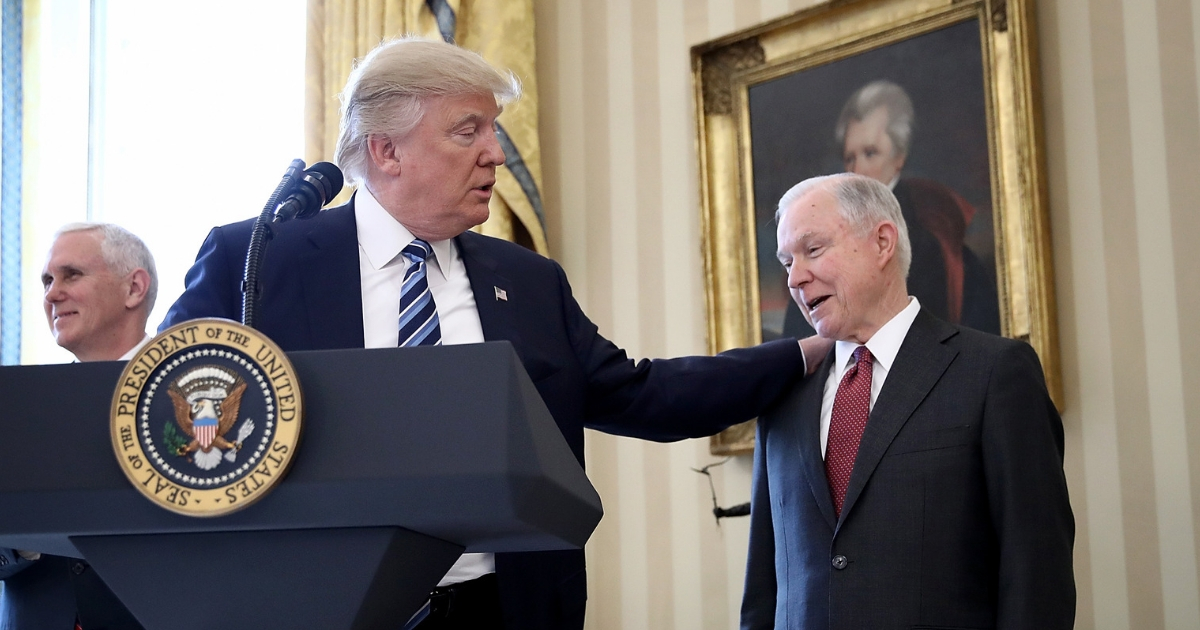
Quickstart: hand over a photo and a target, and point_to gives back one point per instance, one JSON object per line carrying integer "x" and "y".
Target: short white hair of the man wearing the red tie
{"x": 863, "y": 202}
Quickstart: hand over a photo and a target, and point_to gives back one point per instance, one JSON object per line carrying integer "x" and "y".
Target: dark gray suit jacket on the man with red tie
{"x": 957, "y": 512}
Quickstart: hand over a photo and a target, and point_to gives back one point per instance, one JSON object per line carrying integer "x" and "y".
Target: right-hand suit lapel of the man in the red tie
{"x": 919, "y": 367}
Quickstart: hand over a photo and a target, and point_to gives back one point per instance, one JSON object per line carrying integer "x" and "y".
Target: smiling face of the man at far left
{"x": 85, "y": 302}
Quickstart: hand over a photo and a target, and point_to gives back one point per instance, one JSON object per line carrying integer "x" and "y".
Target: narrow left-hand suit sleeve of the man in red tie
{"x": 759, "y": 597}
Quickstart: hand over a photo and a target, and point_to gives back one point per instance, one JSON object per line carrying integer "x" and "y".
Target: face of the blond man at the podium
{"x": 445, "y": 170}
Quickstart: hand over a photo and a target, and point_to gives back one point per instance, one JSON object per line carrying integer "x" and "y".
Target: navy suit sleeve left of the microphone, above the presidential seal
{"x": 211, "y": 285}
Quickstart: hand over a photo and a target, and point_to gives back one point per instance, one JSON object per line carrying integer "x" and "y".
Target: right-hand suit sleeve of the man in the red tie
{"x": 1028, "y": 491}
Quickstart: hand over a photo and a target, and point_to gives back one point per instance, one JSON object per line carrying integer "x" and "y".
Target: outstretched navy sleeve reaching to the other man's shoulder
{"x": 675, "y": 399}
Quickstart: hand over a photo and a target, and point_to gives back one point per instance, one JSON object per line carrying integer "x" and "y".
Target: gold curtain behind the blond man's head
{"x": 501, "y": 31}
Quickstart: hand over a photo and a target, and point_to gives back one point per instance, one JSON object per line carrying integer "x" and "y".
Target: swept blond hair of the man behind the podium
{"x": 388, "y": 88}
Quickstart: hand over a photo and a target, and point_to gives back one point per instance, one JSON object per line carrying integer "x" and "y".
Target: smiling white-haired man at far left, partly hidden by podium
{"x": 100, "y": 285}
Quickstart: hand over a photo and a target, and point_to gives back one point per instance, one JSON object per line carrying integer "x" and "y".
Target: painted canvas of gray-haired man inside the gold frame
{"x": 911, "y": 116}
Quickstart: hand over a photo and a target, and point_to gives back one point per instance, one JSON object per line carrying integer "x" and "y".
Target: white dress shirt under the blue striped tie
{"x": 382, "y": 271}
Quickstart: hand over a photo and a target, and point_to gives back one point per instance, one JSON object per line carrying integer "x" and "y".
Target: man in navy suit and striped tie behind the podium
{"x": 418, "y": 135}
